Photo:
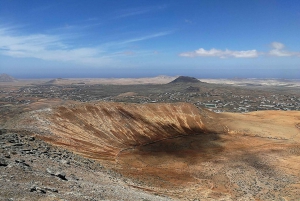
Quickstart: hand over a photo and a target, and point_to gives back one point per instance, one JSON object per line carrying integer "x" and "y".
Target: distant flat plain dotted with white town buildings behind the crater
{"x": 215, "y": 97}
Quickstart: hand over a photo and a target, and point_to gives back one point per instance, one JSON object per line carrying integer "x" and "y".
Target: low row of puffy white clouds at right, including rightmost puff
{"x": 277, "y": 50}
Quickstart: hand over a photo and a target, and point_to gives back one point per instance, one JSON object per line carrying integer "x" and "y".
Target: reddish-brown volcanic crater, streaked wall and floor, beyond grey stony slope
{"x": 179, "y": 150}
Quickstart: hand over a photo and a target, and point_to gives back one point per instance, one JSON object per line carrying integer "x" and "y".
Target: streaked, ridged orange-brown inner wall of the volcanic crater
{"x": 106, "y": 129}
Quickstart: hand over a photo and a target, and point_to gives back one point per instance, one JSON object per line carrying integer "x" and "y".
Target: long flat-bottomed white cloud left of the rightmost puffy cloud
{"x": 220, "y": 53}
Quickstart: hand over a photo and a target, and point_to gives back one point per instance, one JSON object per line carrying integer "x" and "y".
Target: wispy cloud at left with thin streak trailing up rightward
{"x": 55, "y": 48}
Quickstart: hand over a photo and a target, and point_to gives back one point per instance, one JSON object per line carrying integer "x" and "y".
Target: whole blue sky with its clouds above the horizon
{"x": 142, "y": 38}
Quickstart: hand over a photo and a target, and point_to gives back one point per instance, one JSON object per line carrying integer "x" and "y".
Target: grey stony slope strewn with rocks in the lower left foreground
{"x": 31, "y": 169}
